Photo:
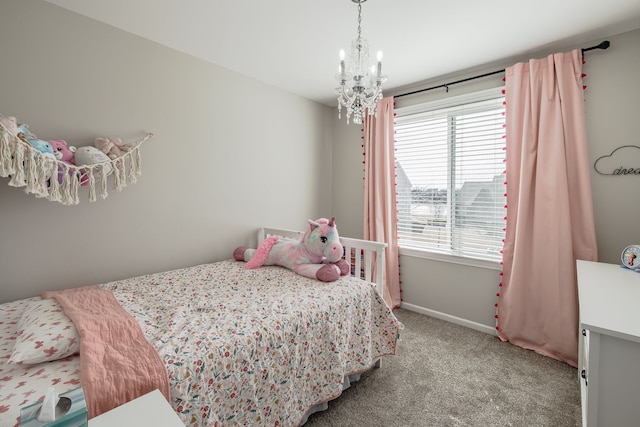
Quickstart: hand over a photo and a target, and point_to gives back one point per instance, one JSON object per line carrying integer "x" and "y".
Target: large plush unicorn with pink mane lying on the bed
{"x": 317, "y": 255}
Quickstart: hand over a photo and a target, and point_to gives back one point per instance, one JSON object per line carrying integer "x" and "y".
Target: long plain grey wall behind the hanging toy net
{"x": 225, "y": 158}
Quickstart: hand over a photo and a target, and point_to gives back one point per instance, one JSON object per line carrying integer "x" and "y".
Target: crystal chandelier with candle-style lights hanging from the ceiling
{"x": 360, "y": 84}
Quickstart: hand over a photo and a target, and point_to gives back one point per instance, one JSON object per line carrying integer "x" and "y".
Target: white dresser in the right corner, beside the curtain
{"x": 609, "y": 351}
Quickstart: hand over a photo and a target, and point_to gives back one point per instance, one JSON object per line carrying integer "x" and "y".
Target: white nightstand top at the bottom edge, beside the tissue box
{"x": 150, "y": 410}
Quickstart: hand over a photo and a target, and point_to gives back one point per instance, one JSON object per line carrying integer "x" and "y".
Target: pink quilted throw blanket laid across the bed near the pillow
{"x": 117, "y": 363}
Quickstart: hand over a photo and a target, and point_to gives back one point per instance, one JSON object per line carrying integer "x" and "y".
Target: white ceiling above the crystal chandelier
{"x": 294, "y": 44}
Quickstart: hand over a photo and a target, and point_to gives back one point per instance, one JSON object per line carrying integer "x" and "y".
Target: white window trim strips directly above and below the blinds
{"x": 477, "y": 96}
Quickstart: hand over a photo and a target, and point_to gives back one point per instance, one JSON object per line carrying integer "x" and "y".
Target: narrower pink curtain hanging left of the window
{"x": 380, "y": 210}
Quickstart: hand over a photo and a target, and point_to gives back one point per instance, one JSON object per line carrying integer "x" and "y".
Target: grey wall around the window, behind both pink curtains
{"x": 466, "y": 294}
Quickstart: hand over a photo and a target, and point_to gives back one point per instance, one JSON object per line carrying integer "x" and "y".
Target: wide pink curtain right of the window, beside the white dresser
{"x": 549, "y": 206}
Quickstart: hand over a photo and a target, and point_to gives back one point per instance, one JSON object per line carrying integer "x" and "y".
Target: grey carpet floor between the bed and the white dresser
{"x": 445, "y": 374}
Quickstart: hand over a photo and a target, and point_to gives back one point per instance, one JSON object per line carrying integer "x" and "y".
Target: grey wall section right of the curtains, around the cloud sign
{"x": 612, "y": 121}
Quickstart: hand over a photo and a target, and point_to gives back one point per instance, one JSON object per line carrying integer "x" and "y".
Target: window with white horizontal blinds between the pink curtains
{"x": 450, "y": 176}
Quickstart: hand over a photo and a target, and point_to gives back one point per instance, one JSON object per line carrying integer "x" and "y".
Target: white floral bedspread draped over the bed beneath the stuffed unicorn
{"x": 251, "y": 347}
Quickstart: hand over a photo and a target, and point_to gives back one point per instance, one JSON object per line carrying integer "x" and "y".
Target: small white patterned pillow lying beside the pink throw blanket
{"x": 45, "y": 334}
